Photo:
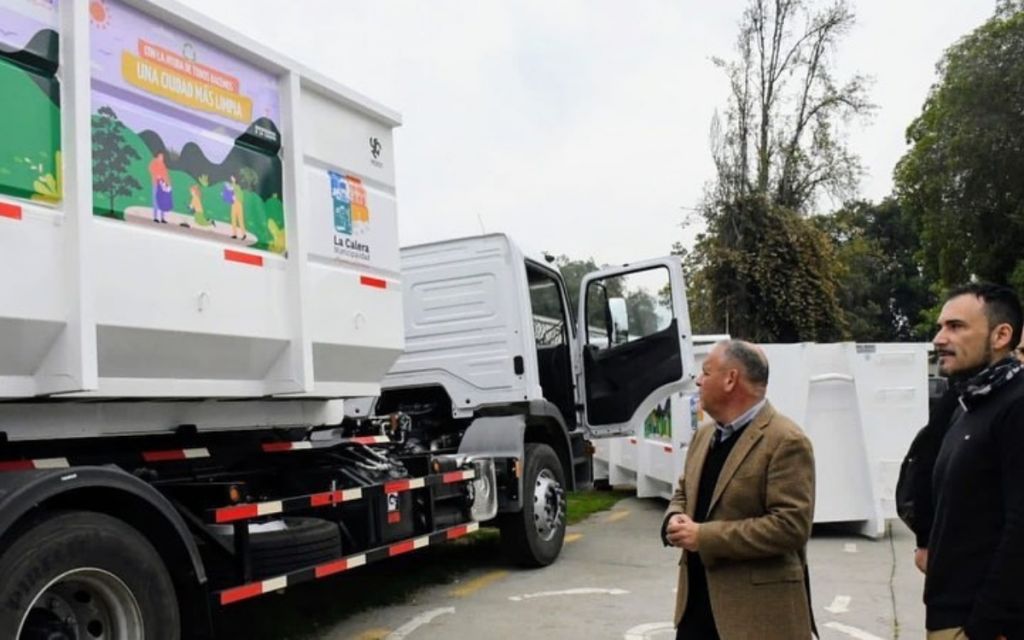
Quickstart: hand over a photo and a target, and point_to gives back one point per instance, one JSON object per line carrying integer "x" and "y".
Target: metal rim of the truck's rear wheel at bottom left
{"x": 84, "y": 604}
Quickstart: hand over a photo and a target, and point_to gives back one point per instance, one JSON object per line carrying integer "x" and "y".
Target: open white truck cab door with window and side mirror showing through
{"x": 636, "y": 346}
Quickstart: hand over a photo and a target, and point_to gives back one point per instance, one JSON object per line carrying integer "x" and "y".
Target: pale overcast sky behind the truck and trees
{"x": 578, "y": 126}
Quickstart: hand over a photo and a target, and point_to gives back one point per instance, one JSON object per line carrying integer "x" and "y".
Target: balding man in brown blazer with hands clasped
{"x": 743, "y": 511}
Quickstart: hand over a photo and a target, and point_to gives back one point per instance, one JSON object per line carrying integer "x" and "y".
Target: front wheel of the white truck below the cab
{"x": 534, "y": 537}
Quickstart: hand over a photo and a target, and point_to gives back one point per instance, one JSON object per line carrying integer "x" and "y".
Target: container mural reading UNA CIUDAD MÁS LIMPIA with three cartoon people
{"x": 185, "y": 137}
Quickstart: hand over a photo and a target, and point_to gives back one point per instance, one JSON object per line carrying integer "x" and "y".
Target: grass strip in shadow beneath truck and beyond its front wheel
{"x": 312, "y": 609}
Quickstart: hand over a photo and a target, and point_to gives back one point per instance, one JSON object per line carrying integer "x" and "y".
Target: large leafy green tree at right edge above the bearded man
{"x": 962, "y": 177}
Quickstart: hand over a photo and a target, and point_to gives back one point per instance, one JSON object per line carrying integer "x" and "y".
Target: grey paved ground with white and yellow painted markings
{"x": 615, "y": 580}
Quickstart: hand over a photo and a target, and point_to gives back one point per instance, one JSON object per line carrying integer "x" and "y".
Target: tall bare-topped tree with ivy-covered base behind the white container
{"x": 764, "y": 271}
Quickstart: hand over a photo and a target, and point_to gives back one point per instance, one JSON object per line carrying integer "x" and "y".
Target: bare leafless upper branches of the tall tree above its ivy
{"x": 781, "y": 137}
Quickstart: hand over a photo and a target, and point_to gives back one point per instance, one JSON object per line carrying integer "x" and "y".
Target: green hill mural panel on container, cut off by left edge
{"x": 30, "y": 101}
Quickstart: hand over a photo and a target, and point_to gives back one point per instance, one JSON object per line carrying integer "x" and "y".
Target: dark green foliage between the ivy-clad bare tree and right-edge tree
{"x": 881, "y": 291}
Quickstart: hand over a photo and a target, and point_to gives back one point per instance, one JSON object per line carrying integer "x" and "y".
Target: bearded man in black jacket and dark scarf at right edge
{"x": 974, "y": 585}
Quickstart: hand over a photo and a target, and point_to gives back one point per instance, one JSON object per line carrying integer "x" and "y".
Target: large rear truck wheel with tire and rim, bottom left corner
{"x": 82, "y": 575}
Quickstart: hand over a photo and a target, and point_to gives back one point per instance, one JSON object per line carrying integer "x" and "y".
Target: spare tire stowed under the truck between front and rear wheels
{"x": 306, "y": 543}
